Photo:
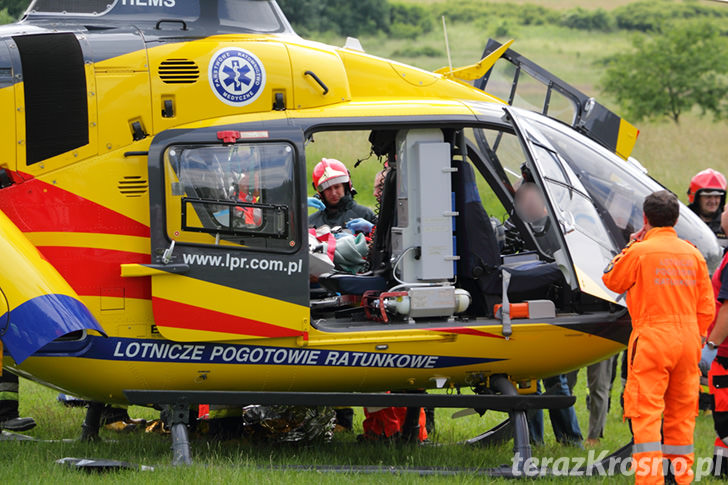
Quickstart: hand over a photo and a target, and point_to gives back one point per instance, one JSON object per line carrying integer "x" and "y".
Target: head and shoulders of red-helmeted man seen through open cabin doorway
{"x": 331, "y": 180}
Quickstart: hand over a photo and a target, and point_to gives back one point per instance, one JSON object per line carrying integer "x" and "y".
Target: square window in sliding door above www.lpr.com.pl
{"x": 240, "y": 194}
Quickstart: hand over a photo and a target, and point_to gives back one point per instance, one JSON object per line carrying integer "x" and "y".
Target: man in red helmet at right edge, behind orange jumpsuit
{"x": 707, "y": 199}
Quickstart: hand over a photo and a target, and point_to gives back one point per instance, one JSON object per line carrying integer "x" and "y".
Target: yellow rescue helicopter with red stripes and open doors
{"x": 131, "y": 263}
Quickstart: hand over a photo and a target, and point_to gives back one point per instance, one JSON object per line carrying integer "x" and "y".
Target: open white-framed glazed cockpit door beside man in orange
{"x": 589, "y": 244}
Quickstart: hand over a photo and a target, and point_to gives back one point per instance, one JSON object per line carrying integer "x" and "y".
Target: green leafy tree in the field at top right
{"x": 670, "y": 73}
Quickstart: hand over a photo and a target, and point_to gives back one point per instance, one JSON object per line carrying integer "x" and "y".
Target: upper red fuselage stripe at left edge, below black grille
{"x": 36, "y": 206}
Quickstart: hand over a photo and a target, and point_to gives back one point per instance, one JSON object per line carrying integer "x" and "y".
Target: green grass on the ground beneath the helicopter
{"x": 238, "y": 461}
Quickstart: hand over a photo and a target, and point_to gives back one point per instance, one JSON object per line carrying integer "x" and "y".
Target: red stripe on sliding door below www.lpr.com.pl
{"x": 168, "y": 313}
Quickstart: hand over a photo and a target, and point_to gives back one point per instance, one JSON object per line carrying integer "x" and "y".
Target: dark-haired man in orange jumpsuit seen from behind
{"x": 670, "y": 300}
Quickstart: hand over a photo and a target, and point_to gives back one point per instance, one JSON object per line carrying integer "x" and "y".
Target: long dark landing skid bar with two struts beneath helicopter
{"x": 502, "y": 396}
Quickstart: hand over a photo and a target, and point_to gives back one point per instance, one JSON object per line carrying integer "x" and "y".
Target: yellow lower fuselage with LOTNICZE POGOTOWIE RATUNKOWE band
{"x": 360, "y": 367}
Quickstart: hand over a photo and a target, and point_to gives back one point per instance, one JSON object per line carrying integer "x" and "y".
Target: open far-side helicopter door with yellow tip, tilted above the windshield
{"x": 524, "y": 84}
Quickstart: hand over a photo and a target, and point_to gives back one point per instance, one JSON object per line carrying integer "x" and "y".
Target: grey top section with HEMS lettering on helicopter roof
{"x": 259, "y": 16}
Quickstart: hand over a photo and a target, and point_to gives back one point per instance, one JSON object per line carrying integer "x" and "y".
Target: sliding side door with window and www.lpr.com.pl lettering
{"x": 228, "y": 262}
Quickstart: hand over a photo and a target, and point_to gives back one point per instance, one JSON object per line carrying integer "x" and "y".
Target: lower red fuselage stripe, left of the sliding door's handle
{"x": 95, "y": 272}
